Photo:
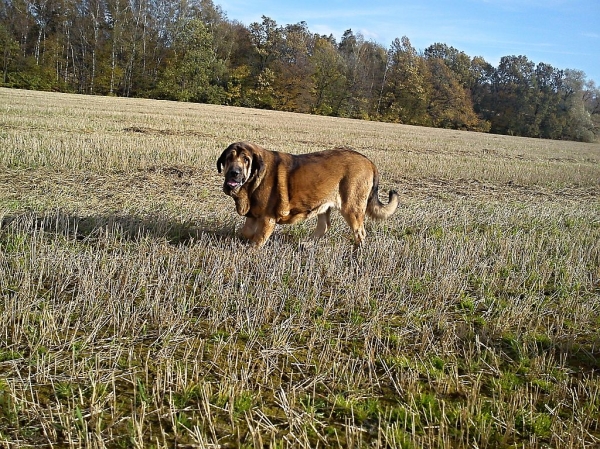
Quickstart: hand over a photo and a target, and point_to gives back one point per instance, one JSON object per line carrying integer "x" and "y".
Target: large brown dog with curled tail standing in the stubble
{"x": 271, "y": 188}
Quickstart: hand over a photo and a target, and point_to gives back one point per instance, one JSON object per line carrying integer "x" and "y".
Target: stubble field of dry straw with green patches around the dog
{"x": 132, "y": 315}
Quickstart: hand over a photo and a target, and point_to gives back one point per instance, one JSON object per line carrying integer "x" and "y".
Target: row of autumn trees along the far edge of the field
{"x": 188, "y": 50}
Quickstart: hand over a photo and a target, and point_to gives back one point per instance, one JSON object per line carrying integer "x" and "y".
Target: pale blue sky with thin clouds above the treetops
{"x": 562, "y": 33}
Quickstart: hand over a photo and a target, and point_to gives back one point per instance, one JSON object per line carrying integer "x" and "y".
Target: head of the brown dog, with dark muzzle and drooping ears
{"x": 241, "y": 162}
